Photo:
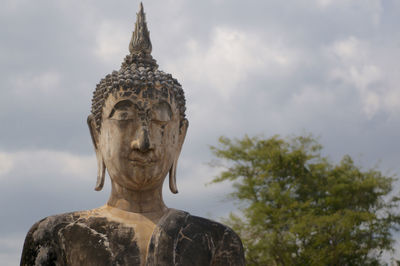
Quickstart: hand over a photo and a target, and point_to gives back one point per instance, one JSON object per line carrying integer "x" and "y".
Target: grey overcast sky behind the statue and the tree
{"x": 326, "y": 67}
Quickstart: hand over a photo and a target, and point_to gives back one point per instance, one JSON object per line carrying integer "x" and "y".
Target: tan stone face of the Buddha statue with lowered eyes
{"x": 139, "y": 139}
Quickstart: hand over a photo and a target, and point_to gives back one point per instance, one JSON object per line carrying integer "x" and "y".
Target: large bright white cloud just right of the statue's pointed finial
{"x": 229, "y": 58}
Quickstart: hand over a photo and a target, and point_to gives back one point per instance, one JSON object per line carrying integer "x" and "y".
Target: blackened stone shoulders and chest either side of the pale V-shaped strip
{"x": 92, "y": 238}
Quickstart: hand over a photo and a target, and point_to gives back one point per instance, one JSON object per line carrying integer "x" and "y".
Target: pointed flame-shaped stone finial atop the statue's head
{"x": 140, "y": 41}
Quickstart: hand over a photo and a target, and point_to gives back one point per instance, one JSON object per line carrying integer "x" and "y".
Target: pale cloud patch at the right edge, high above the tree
{"x": 353, "y": 63}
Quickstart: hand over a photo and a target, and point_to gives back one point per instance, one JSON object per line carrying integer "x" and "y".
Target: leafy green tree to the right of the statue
{"x": 298, "y": 208}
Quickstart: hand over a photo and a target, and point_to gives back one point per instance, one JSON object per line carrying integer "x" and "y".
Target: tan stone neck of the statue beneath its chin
{"x": 148, "y": 201}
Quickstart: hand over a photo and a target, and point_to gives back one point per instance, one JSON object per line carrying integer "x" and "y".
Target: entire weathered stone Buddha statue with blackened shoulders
{"x": 138, "y": 126}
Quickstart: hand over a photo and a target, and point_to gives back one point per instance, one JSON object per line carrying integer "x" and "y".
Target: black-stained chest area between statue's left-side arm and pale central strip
{"x": 98, "y": 244}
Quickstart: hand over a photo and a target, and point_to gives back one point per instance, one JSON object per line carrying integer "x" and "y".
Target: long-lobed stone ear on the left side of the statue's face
{"x": 101, "y": 167}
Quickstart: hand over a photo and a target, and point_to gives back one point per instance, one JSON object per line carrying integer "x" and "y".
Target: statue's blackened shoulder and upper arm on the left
{"x": 41, "y": 245}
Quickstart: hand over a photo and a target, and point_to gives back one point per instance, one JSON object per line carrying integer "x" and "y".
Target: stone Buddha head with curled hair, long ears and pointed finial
{"x": 138, "y": 122}
